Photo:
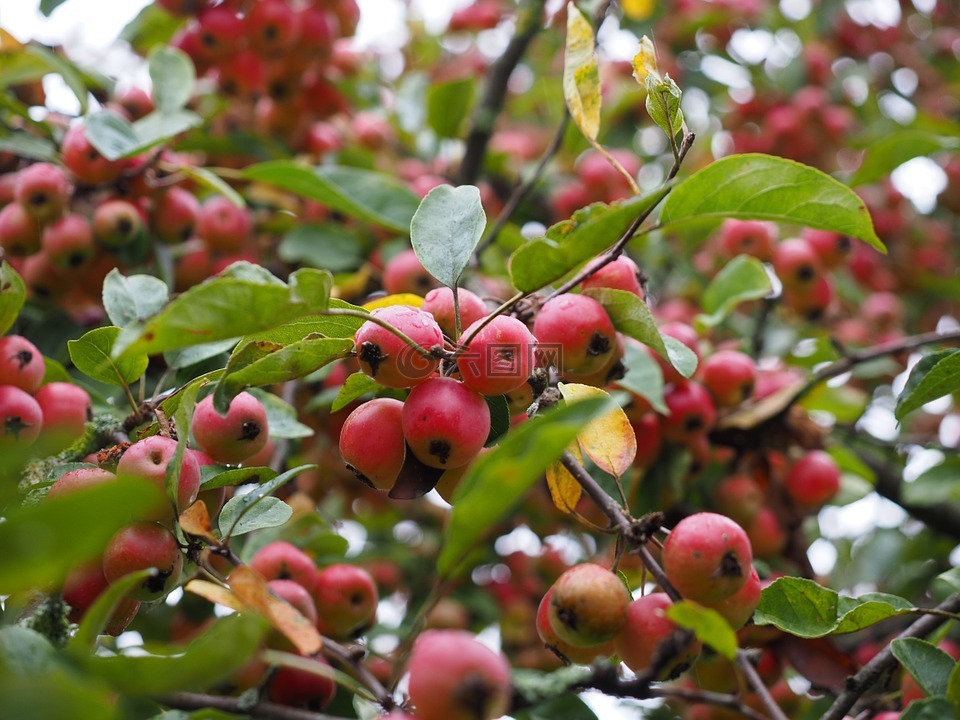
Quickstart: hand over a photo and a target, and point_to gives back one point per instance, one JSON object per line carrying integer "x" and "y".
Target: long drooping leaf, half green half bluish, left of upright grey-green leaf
{"x": 371, "y": 196}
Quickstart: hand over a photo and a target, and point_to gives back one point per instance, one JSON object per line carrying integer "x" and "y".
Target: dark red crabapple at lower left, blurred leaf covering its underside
{"x": 138, "y": 547}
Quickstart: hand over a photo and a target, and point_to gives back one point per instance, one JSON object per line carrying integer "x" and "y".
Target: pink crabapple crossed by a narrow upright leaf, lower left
{"x": 149, "y": 459}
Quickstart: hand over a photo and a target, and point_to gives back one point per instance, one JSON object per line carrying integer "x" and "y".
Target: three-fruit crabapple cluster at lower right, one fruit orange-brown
{"x": 589, "y": 612}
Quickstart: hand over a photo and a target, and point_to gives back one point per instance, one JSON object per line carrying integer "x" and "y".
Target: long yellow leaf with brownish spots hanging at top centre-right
{"x": 581, "y": 78}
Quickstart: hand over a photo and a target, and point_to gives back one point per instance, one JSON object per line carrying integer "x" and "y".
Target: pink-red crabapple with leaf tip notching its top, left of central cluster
{"x": 232, "y": 438}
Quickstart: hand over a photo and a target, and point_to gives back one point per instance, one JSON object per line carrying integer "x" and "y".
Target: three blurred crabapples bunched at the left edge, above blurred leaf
{"x": 49, "y": 415}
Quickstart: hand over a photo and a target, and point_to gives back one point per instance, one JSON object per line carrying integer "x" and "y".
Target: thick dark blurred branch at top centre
{"x": 498, "y": 76}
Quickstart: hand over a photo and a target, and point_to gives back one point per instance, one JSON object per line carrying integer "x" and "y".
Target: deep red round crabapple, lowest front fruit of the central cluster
{"x": 445, "y": 423}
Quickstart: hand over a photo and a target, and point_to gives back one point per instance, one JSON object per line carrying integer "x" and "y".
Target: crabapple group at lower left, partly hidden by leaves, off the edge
{"x": 237, "y": 437}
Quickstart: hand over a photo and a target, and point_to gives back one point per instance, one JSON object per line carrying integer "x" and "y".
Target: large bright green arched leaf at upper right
{"x": 763, "y": 187}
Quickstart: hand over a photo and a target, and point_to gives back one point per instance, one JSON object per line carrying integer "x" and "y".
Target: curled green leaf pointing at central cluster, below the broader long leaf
{"x": 277, "y": 365}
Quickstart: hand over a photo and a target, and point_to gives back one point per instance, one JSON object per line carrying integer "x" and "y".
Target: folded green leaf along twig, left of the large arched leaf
{"x": 570, "y": 243}
